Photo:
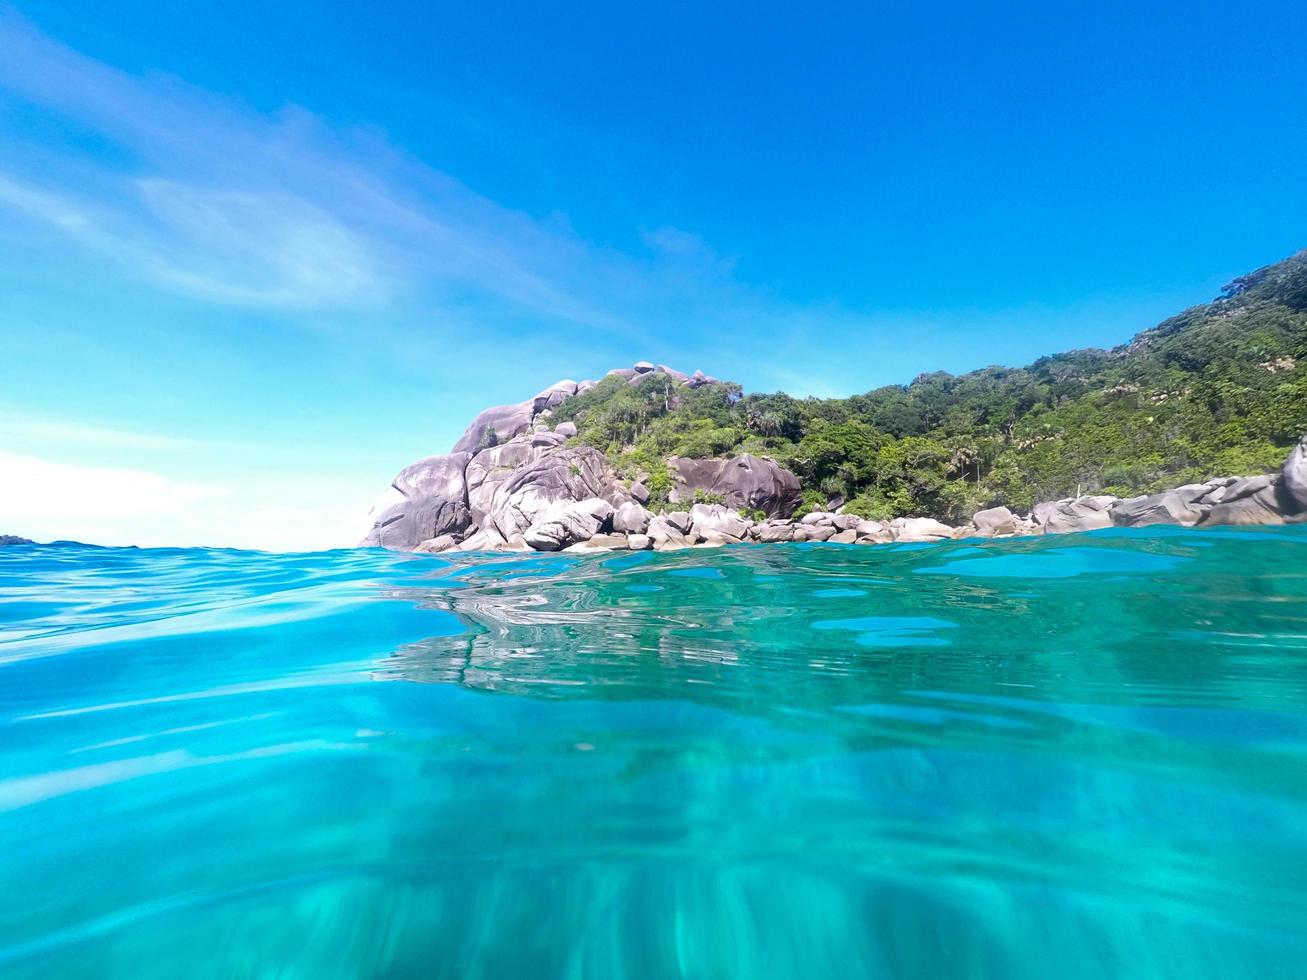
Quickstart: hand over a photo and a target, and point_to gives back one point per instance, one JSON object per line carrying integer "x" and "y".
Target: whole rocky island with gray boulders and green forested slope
{"x": 653, "y": 458}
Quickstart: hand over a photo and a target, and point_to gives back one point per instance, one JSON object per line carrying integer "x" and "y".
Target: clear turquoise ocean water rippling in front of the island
{"x": 1070, "y": 757}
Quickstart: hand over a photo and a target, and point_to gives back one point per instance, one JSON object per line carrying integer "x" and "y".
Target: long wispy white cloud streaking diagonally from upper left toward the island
{"x": 232, "y": 206}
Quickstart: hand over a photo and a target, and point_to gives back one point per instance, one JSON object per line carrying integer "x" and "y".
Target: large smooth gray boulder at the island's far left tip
{"x": 425, "y": 501}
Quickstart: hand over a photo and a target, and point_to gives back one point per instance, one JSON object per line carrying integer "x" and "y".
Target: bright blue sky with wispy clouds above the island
{"x": 254, "y": 261}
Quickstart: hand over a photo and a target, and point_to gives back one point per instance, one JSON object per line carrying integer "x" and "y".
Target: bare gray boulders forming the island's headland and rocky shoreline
{"x": 517, "y": 483}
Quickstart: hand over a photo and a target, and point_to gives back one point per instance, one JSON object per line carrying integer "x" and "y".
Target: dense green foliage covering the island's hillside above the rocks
{"x": 1219, "y": 390}
